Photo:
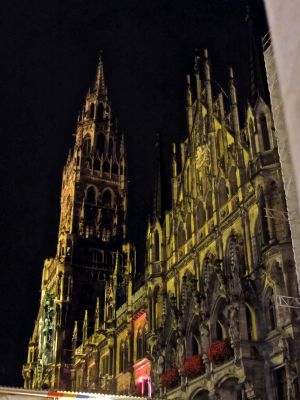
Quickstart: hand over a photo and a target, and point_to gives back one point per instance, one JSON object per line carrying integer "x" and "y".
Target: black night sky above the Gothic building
{"x": 49, "y": 52}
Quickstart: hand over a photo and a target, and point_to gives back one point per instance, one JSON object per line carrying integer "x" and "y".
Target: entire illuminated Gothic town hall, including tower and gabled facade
{"x": 206, "y": 323}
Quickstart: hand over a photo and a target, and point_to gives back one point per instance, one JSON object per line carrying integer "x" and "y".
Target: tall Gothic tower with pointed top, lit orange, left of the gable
{"x": 91, "y": 239}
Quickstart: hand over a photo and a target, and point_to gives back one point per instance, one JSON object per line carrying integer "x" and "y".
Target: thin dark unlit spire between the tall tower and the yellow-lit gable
{"x": 160, "y": 195}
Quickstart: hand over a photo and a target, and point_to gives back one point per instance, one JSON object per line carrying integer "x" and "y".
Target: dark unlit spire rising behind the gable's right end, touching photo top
{"x": 256, "y": 85}
